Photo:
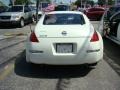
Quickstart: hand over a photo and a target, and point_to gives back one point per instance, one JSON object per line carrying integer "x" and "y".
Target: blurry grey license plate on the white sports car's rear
{"x": 64, "y": 48}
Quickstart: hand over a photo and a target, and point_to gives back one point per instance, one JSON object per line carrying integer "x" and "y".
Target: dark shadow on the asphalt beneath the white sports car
{"x": 22, "y": 68}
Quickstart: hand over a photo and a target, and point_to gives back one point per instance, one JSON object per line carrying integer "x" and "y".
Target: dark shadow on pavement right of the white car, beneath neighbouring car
{"x": 112, "y": 51}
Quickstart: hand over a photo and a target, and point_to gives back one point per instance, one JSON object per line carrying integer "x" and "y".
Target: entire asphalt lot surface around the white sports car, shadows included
{"x": 19, "y": 75}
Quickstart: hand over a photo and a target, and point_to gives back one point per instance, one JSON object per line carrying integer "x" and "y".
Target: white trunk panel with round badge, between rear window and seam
{"x": 60, "y": 31}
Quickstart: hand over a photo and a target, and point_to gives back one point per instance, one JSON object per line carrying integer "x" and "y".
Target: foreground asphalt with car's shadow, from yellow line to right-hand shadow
{"x": 24, "y": 76}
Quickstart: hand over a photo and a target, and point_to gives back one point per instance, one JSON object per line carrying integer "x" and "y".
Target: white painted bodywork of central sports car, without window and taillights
{"x": 84, "y": 51}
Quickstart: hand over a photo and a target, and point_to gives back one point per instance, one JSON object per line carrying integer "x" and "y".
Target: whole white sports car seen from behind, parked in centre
{"x": 64, "y": 38}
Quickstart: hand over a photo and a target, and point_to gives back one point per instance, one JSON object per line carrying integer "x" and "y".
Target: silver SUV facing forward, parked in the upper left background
{"x": 18, "y": 14}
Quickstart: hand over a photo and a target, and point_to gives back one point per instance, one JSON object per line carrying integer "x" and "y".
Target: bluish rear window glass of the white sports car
{"x": 63, "y": 19}
